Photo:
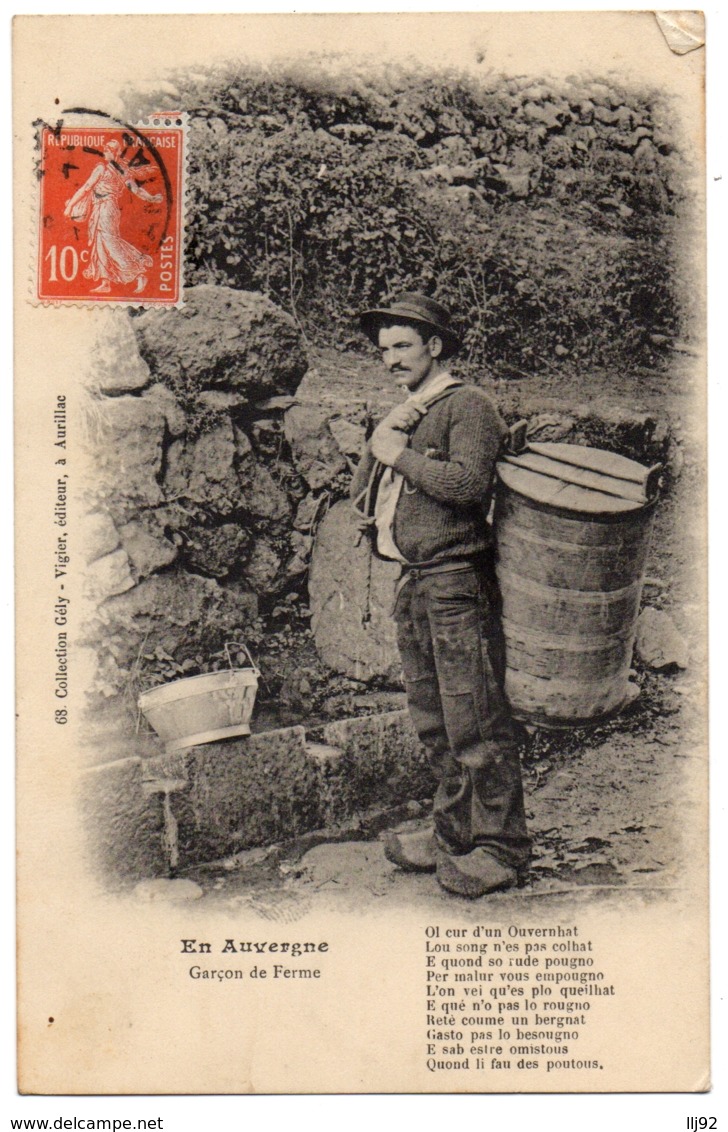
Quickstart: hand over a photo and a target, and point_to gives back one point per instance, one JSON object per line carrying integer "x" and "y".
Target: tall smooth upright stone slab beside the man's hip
{"x": 352, "y": 597}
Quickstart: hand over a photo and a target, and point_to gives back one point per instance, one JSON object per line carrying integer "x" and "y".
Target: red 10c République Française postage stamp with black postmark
{"x": 112, "y": 212}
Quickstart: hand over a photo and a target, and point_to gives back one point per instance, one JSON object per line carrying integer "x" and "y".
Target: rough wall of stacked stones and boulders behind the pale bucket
{"x": 209, "y": 481}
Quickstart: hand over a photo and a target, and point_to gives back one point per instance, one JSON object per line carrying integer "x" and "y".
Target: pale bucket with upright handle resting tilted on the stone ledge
{"x": 203, "y": 709}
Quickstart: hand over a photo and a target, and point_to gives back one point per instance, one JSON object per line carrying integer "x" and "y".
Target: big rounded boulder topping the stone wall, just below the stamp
{"x": 222, "y": 338}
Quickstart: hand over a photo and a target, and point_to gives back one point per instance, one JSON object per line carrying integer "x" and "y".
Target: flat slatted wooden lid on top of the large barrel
{"x": 581, "y": 479}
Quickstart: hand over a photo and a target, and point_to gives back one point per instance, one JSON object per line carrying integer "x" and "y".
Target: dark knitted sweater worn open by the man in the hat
{"x": 449, "y": 470}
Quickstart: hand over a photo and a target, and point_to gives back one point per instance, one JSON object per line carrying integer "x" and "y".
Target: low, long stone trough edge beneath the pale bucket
{"x": 150, "y": 818}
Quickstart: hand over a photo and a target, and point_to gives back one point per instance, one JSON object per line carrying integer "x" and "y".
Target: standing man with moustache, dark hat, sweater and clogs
{"x": 425, "y": 482}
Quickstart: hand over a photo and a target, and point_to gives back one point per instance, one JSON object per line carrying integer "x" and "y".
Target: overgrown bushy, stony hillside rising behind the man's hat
{"x": 544, "y": 215}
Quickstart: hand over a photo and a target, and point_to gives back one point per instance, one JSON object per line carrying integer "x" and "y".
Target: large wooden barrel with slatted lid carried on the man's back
{"x": 572, "y": 533}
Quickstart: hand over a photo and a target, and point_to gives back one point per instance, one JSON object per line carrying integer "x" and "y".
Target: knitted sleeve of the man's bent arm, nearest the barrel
{"x": 476, "y": 435}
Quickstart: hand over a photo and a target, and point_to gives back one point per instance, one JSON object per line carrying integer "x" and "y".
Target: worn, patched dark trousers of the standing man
{"x": 451, "y": 646}
